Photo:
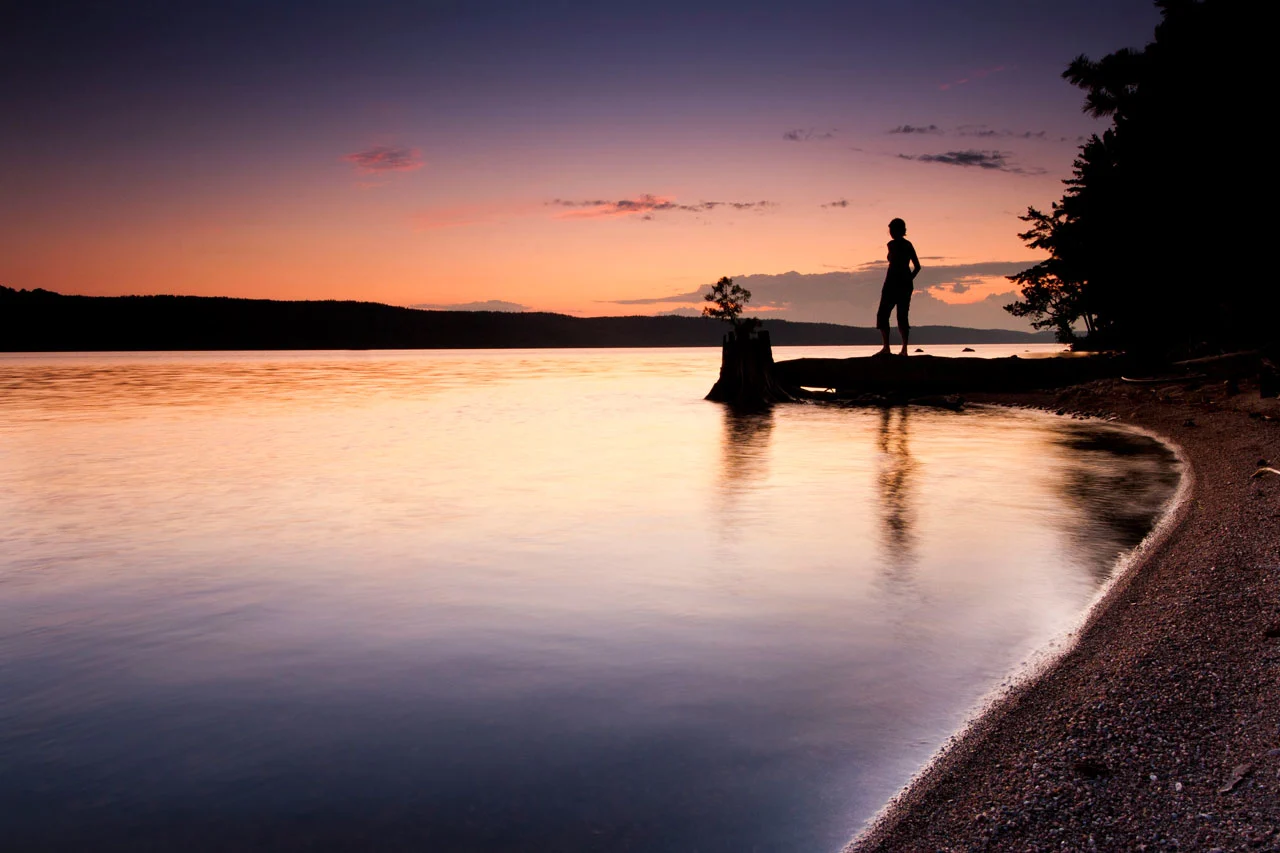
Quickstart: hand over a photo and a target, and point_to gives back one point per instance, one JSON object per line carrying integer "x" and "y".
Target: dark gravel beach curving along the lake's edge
{"x": 1160, "y": 729}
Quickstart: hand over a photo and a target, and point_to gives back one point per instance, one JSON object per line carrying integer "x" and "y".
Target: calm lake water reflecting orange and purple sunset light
{"x": 510, "y": 601}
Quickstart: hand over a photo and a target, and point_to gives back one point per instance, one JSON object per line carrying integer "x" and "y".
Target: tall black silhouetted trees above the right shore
{"x": 1151, "y": 247}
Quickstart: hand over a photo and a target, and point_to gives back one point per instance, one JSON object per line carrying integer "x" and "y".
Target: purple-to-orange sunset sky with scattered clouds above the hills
{"x": 591, "y": 158}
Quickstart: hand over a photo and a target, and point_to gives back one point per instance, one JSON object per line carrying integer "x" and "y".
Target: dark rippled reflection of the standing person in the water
{"x": 895, "y": 481}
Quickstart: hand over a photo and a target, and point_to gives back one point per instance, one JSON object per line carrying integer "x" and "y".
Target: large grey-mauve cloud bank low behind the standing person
{"x": 971, "y": 295}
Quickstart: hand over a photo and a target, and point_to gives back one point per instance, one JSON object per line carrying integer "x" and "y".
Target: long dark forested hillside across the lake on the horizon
{"x": 44, "y": 322}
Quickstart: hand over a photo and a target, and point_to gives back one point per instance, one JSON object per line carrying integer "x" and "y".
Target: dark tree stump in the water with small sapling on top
{"x": 747, "y": 380}
